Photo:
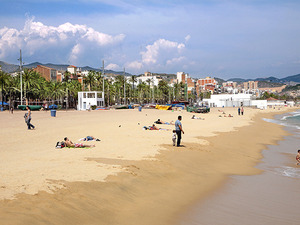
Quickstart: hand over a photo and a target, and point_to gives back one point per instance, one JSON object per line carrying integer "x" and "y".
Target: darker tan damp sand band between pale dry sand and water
{"x": 146, "y": 189}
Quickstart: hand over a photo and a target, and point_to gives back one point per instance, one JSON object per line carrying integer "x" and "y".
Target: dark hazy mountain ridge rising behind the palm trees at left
{"x": 10, "y": 68}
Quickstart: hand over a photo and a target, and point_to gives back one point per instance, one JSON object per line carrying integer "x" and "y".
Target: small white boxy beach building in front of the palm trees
{"x": 86, "y": 99}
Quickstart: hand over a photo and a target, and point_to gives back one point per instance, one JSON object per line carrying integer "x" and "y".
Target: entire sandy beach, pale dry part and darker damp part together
{"x": 132, "y": 176}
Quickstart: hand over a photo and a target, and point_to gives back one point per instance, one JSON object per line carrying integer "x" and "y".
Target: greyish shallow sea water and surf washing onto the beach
{"x": 272, "y": 197}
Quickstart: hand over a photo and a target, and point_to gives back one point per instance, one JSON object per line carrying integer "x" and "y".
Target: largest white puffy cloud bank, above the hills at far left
{"x": 66, "y": 42}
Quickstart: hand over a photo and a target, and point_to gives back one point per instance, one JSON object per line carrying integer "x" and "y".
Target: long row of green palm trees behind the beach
{"x": 118, "y": 90}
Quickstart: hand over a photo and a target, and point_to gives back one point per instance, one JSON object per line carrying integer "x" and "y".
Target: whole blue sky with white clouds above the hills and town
{"x": 218, "y": 38}
